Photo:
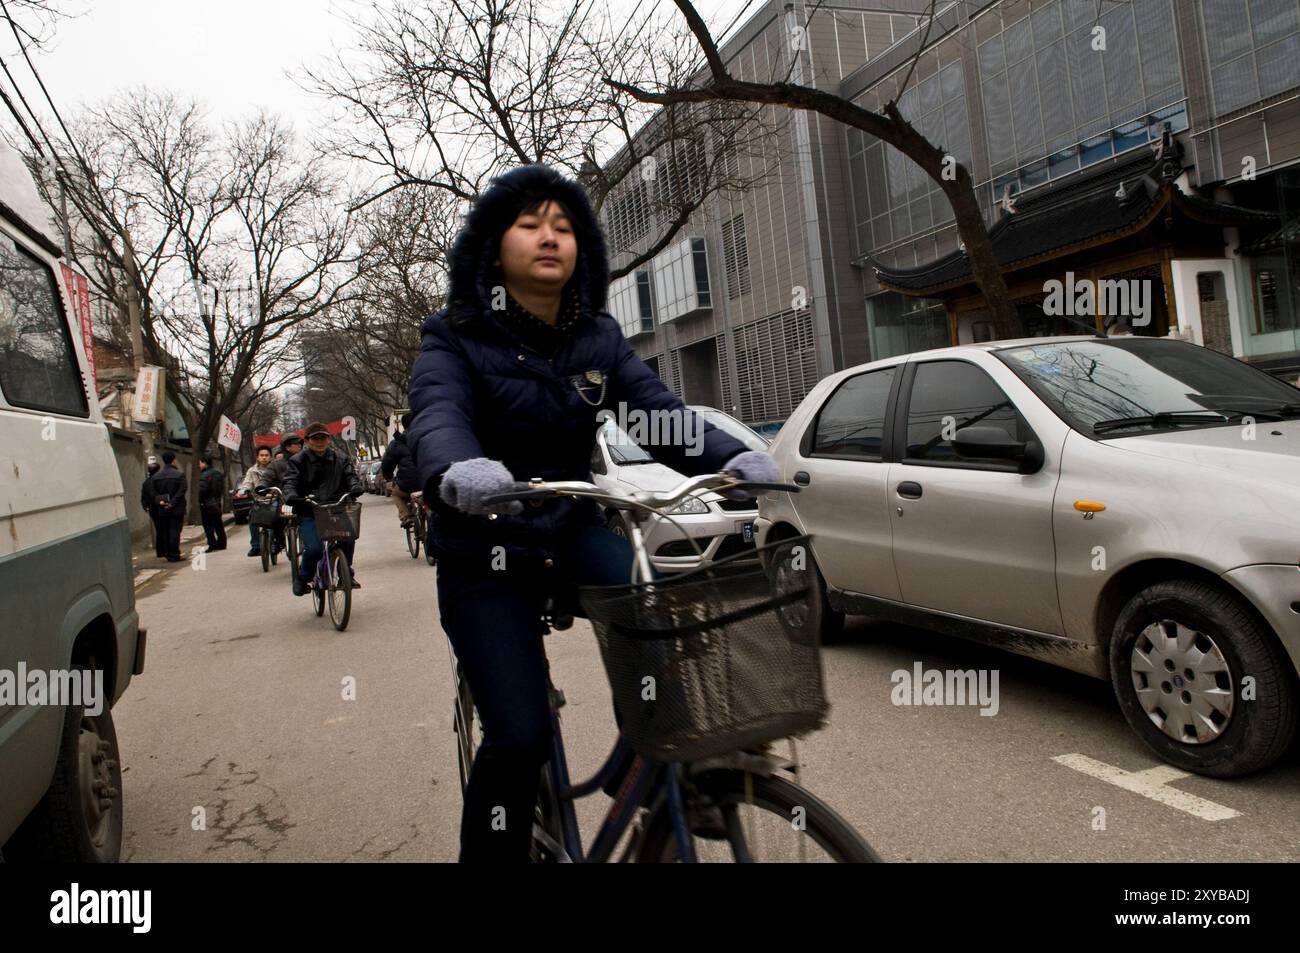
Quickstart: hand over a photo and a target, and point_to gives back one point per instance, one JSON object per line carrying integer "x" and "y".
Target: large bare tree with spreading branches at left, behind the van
{"x": 229, "y": 242}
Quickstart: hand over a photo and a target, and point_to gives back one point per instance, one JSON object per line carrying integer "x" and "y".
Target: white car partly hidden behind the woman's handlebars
{"x": 703, "y": 529}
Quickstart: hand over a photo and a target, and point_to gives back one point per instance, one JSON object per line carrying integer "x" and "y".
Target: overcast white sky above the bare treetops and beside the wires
{"x": 235, "y": 55}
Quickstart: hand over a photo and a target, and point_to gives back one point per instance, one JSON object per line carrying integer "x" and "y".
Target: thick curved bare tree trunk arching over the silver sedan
{"x": 716, "y": 84}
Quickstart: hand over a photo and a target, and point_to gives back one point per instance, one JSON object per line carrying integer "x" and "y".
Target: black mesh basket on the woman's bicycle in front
{"x": 716, "y": 660}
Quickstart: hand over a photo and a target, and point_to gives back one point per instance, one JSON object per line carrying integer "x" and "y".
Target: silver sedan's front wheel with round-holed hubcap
{"x": 1202, "y": 682}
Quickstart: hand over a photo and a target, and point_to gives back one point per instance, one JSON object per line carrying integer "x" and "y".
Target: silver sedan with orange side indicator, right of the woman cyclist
{"x": 1125, "y": 508}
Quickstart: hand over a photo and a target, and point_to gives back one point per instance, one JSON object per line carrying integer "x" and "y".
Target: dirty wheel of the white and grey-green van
{"x": 80, "y": 820}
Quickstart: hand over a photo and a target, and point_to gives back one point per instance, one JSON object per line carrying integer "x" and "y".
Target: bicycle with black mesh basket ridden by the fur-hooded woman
{"x": 733, "y": 666}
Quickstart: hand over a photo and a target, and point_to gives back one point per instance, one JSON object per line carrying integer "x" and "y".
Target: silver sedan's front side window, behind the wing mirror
{"x": 948, "y": 396}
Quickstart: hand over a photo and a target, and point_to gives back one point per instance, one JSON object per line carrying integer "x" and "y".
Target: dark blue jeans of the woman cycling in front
{"x": 492, "y": 618}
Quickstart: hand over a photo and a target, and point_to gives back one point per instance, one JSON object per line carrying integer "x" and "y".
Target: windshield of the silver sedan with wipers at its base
{"x": 1124, "y": 387}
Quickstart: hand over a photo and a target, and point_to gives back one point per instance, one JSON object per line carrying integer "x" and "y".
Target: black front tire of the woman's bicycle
{"x": 782, "y": 799}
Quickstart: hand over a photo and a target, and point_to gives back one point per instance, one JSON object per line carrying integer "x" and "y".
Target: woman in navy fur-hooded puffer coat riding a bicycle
{"x": 510, "y": 385}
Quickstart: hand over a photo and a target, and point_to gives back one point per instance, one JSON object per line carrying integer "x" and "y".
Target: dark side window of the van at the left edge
{"x": 38, "y": 365}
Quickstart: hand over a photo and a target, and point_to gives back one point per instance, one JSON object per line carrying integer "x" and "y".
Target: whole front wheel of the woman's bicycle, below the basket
{"x": 768, "y": 820}
